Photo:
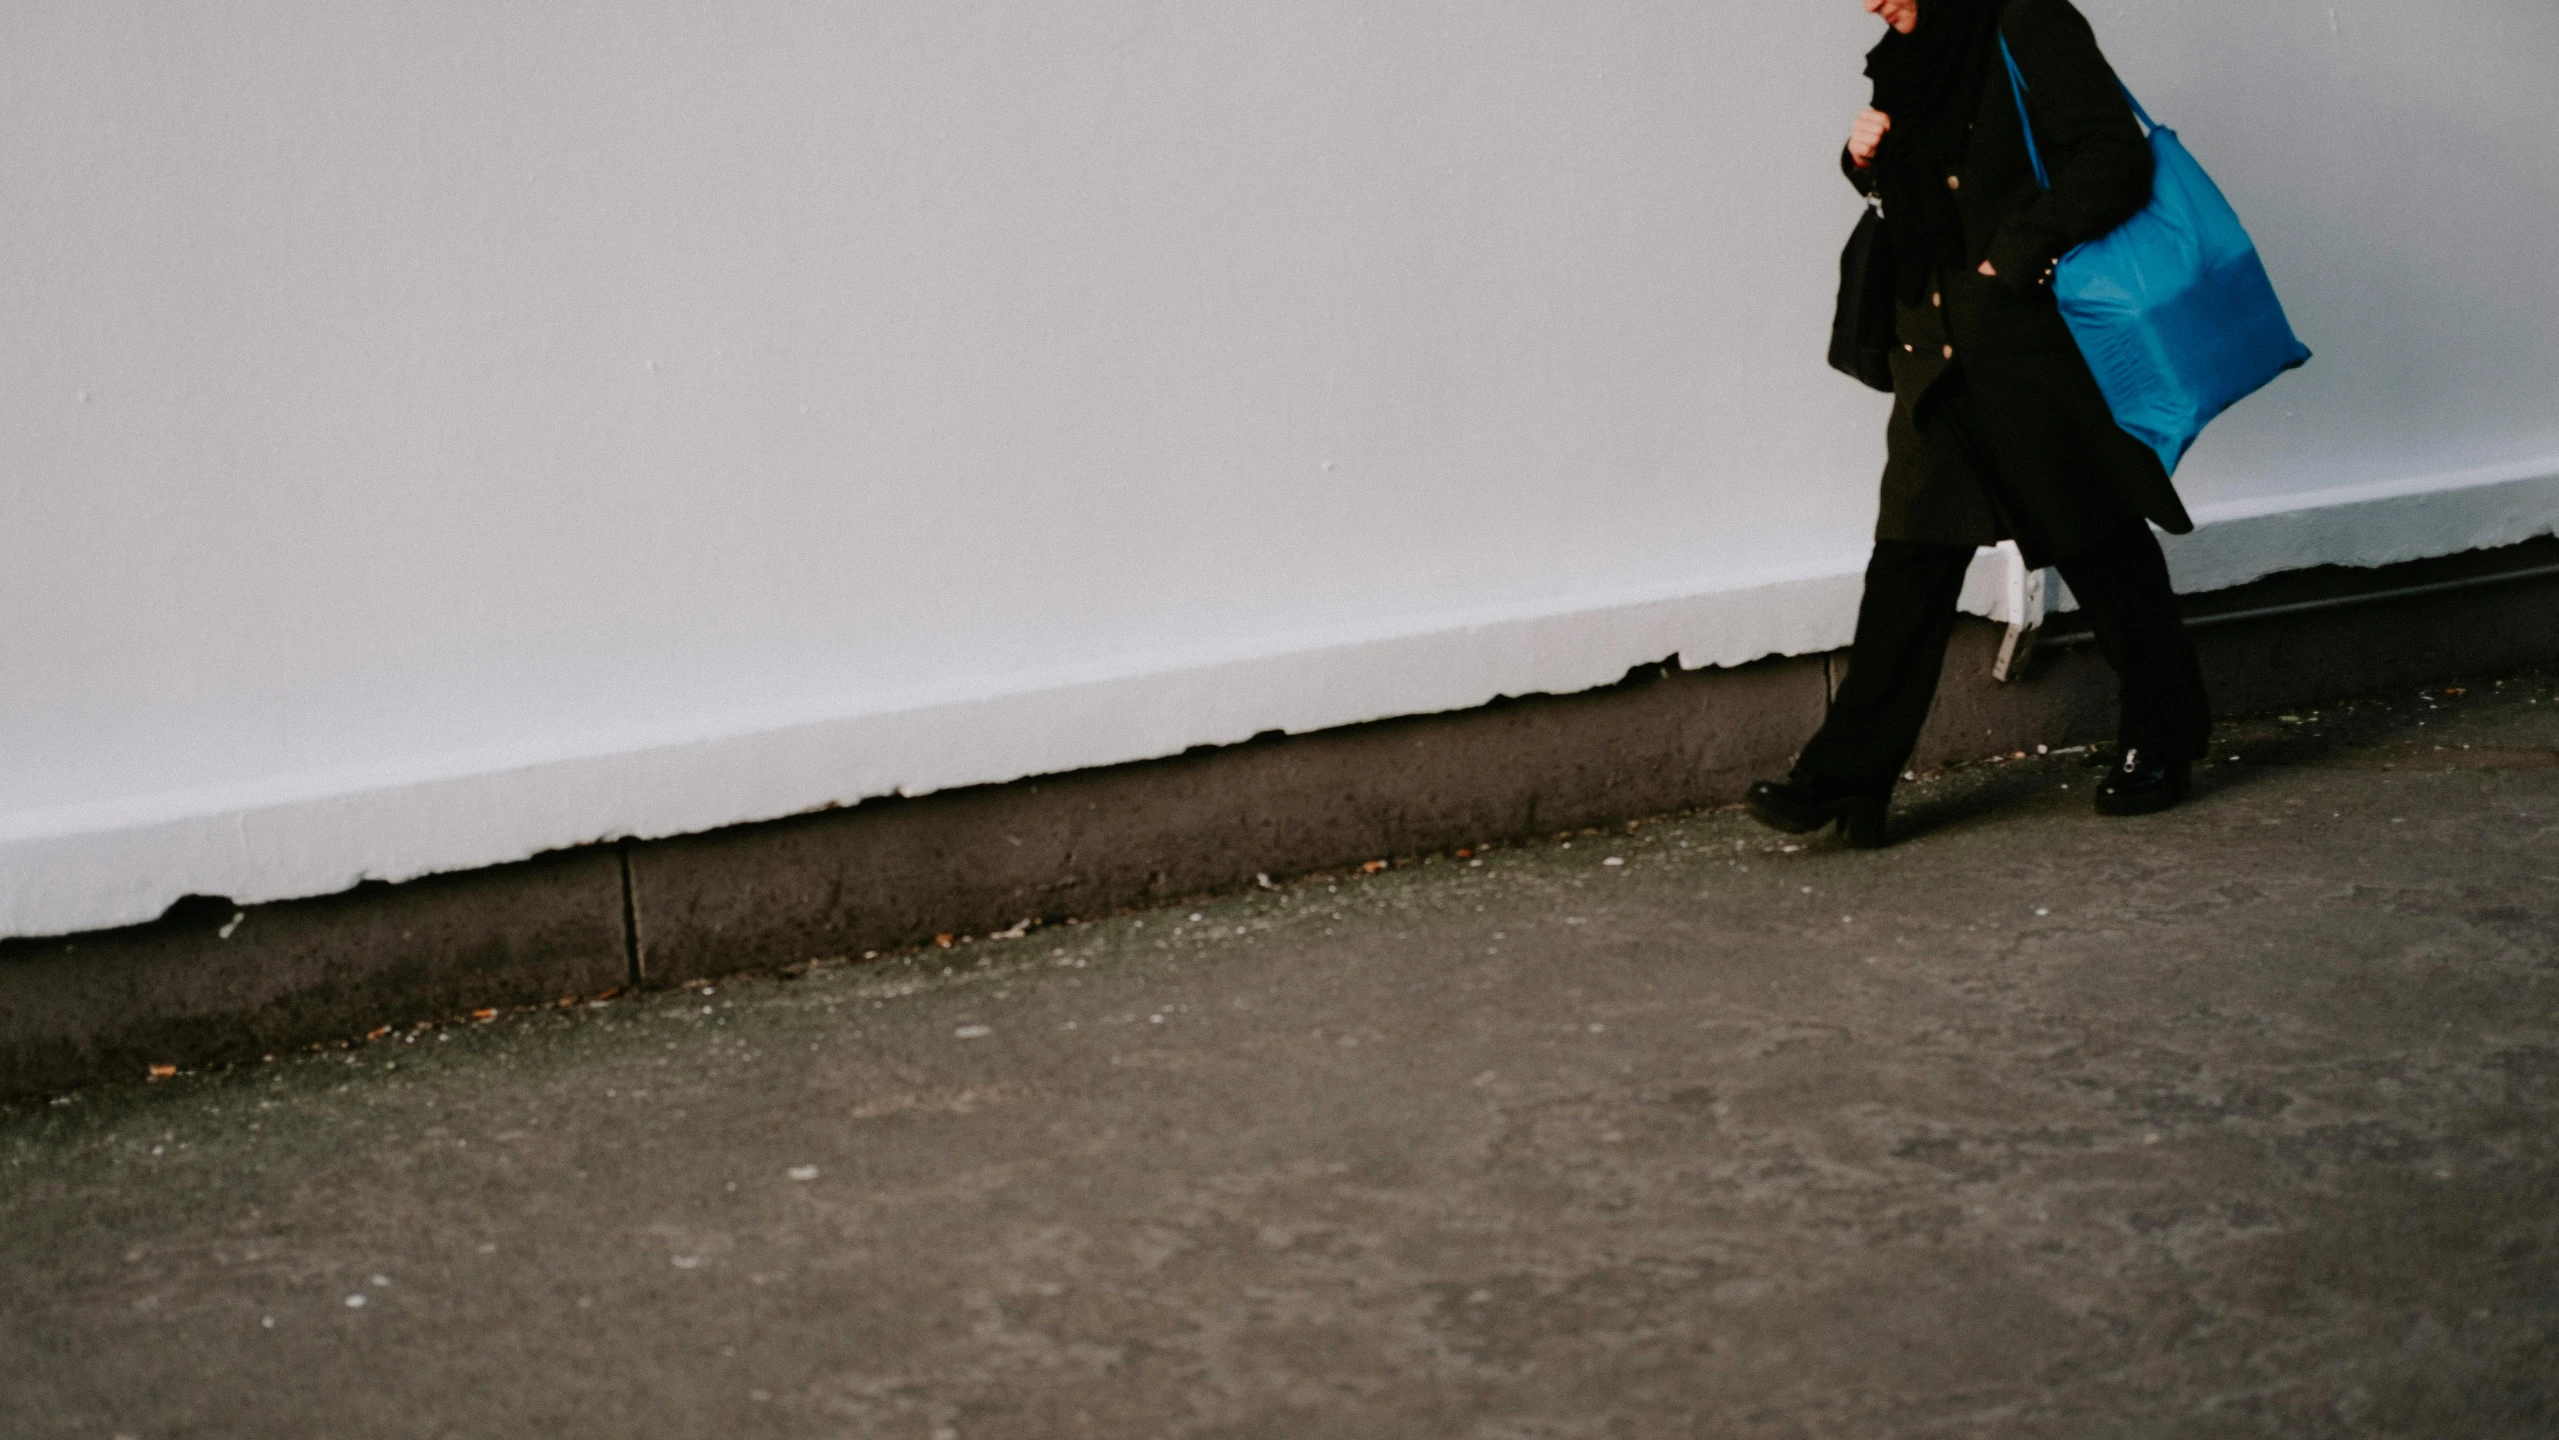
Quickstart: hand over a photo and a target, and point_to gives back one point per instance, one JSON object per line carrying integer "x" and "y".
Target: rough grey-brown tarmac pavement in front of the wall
{"x": 2230, "y": 1122}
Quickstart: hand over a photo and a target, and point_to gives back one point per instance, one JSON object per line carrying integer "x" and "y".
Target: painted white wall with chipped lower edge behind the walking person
{"x": 449, "y": 431}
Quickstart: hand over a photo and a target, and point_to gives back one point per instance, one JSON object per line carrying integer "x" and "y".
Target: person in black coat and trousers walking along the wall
{"x": 2000, "y": 428}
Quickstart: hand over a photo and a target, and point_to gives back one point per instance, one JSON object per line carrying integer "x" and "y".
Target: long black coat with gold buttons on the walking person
{"x": 2000, "y": 431}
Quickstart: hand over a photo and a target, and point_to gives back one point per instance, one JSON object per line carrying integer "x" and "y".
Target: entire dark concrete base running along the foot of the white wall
{"x": 897, "y": 873}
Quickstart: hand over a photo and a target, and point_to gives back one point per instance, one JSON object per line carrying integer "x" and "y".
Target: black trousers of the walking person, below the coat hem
{"x": 1910, "y": 615}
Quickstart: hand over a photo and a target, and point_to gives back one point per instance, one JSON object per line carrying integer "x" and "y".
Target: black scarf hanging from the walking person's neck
{"x": 1931, "y": 86}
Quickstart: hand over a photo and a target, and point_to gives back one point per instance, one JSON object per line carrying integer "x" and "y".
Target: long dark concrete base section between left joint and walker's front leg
{"x": 897, "y": 873}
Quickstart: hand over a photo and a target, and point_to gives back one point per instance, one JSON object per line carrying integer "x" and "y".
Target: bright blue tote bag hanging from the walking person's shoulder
{"x": 2174, "y": 308}
